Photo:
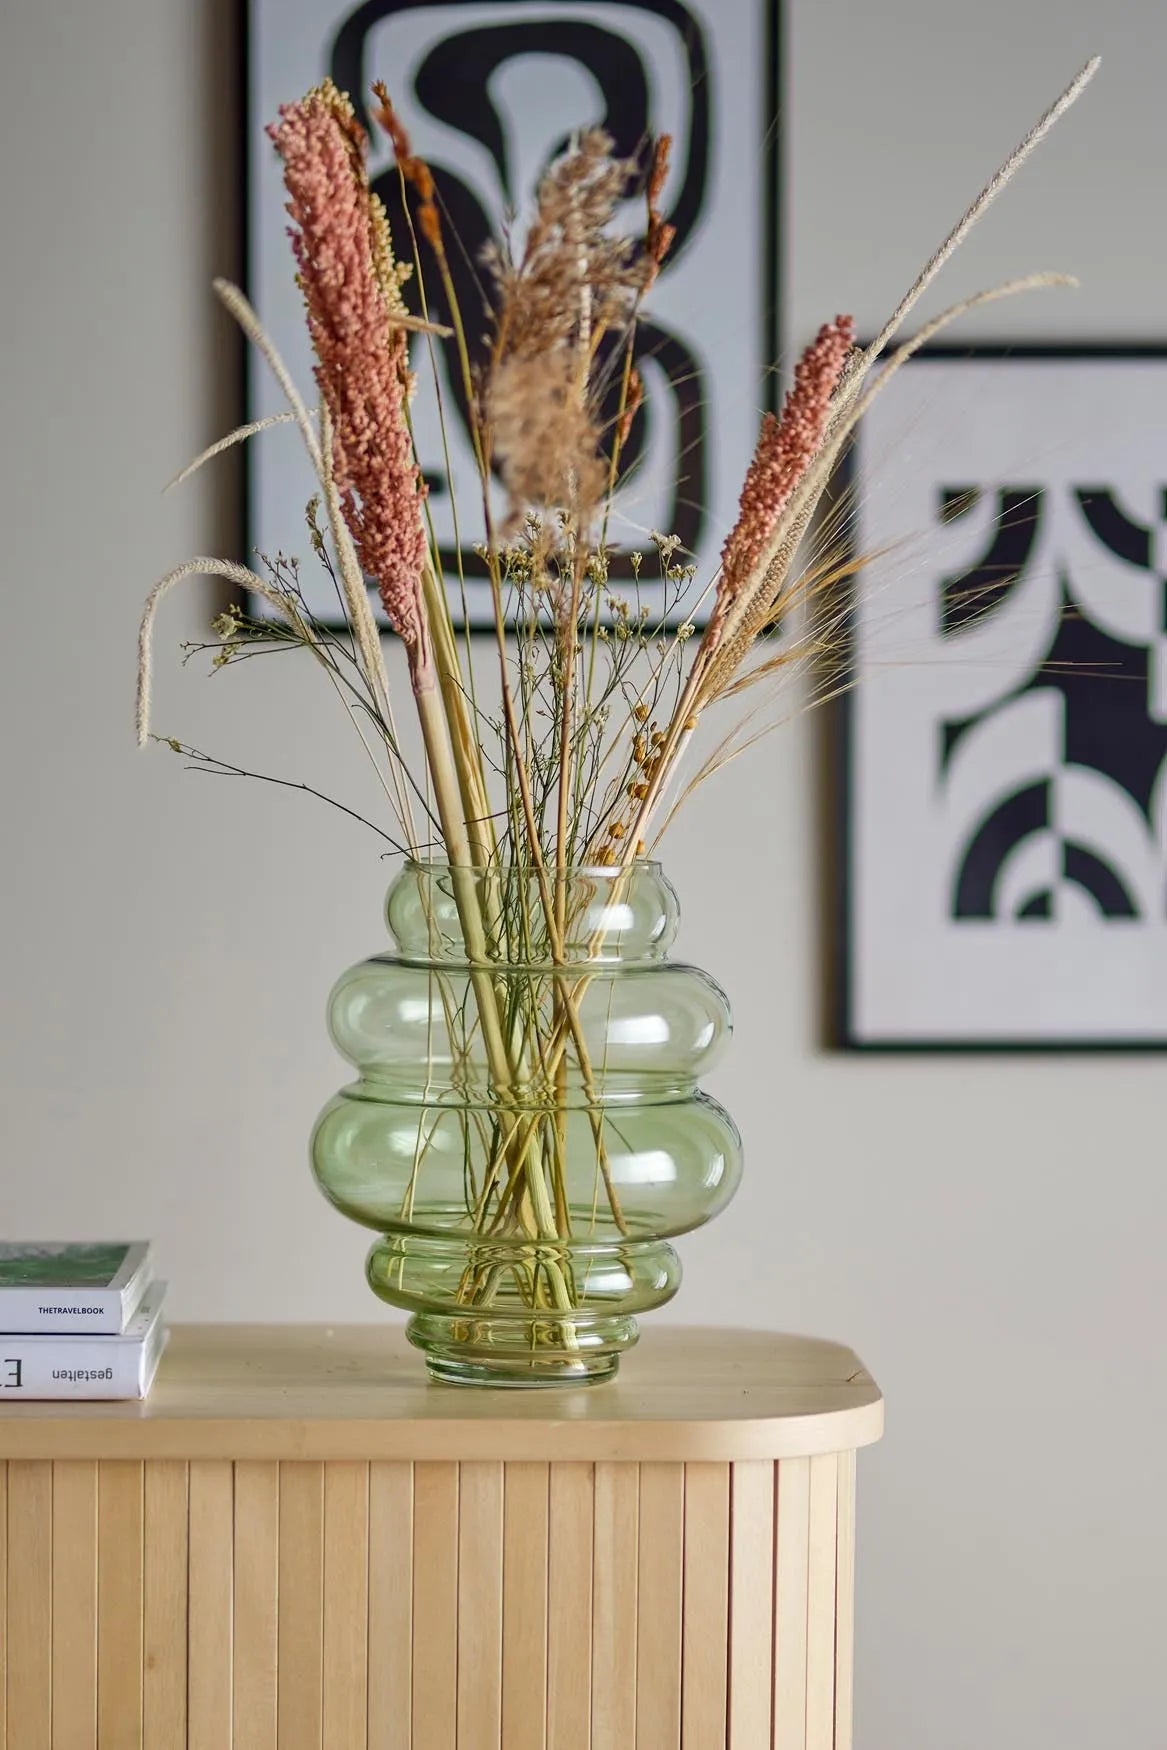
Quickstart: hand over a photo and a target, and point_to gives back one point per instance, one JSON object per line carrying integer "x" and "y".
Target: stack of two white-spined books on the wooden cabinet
{"x": 80, "y": 1320}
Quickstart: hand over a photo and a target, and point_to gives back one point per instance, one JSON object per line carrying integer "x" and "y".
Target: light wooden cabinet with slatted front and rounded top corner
{"x": 300, "y": 1544}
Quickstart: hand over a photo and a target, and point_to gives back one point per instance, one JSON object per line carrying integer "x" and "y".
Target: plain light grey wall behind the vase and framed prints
{"x": 989, "y": 1233}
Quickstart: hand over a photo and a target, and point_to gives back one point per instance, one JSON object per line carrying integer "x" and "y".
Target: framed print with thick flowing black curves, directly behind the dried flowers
{"x": 491, "y": 92}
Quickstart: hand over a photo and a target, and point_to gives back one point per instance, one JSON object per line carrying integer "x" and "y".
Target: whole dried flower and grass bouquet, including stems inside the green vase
{"x": 580, "y": 766}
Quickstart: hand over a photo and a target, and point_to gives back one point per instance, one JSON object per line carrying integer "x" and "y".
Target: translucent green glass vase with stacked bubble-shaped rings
{"x": 526, "y": 1133}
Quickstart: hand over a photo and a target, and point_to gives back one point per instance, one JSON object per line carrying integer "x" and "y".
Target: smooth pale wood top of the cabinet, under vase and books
{"x": 319, "y": 1392}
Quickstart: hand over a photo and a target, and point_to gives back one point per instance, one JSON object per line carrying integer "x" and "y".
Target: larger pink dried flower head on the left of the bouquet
{"x": 340, "y": 239}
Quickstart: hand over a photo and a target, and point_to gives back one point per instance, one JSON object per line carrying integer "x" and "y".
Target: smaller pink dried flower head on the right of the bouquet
{"x": 786, "y": 447}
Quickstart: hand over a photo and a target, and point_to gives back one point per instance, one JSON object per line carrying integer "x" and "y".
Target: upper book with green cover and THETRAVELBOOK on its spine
{"x": 90, "y": 1287}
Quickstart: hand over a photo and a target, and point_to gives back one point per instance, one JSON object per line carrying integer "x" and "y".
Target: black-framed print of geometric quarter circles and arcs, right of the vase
{"x": 1007, "y": 739}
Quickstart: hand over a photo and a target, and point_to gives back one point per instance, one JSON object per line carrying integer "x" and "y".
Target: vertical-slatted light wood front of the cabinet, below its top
{"x": 342, "y": 1606}
